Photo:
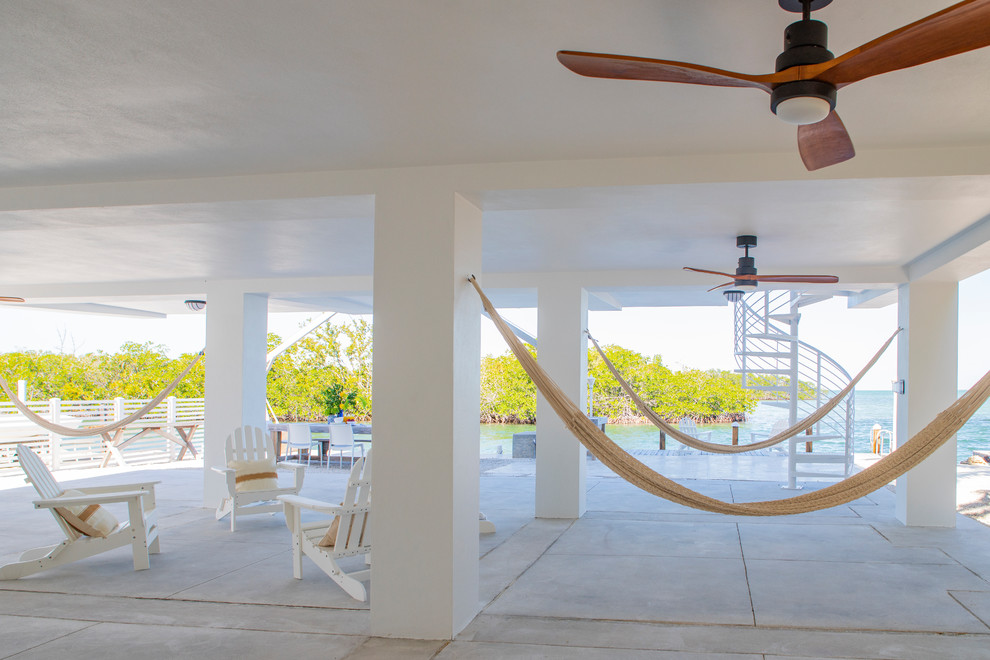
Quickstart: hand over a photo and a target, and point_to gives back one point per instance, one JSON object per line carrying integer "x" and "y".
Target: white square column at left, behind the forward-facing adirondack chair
{"x": 236, "y": 343}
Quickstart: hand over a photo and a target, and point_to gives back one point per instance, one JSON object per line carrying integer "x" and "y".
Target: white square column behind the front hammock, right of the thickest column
{"x": 561, "y": 461}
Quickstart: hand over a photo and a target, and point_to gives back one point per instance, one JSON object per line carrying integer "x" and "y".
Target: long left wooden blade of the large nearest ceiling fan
{"x": 601, "y": 65}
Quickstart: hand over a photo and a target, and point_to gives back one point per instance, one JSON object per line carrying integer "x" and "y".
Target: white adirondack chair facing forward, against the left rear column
{"x": 248, "y": 448}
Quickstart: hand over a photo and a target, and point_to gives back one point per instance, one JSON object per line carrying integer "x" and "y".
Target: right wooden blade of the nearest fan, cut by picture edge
{"x": 960, "y": 28}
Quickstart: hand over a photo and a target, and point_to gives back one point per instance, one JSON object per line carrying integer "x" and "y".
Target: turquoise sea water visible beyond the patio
{"x": 872, "y": 407}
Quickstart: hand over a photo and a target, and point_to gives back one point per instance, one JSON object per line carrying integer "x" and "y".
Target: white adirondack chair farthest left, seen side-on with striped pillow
{"x": 140, "y": 531}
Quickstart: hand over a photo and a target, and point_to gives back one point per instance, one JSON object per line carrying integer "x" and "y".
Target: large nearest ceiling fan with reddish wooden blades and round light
{"x": 803, "y": 89}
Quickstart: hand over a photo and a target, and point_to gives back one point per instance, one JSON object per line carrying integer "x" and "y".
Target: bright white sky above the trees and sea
{"x": 696, "y": 337}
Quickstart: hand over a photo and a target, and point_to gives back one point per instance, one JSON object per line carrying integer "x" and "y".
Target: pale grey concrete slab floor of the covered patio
{"x": 636, "y": 577}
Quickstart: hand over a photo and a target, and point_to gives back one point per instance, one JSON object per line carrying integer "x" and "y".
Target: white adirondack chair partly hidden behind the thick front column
{"x": 352, "y": 537}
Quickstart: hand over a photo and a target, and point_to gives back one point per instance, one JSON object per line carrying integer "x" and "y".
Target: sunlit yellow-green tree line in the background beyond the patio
{"x": 329, "y": 371}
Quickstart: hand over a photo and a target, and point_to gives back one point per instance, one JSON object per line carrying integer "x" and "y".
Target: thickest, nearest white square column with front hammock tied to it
{"x": 426, "y": 388}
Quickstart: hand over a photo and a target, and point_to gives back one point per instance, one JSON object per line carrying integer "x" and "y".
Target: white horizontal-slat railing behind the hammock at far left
{"x": 61, "y": 452}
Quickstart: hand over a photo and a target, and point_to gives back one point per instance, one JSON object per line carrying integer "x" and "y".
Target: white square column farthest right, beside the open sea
{"x": 927, "y": 361}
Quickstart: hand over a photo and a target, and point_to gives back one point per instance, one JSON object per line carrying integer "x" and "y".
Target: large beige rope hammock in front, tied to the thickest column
{"x": 905, "y": 457}
